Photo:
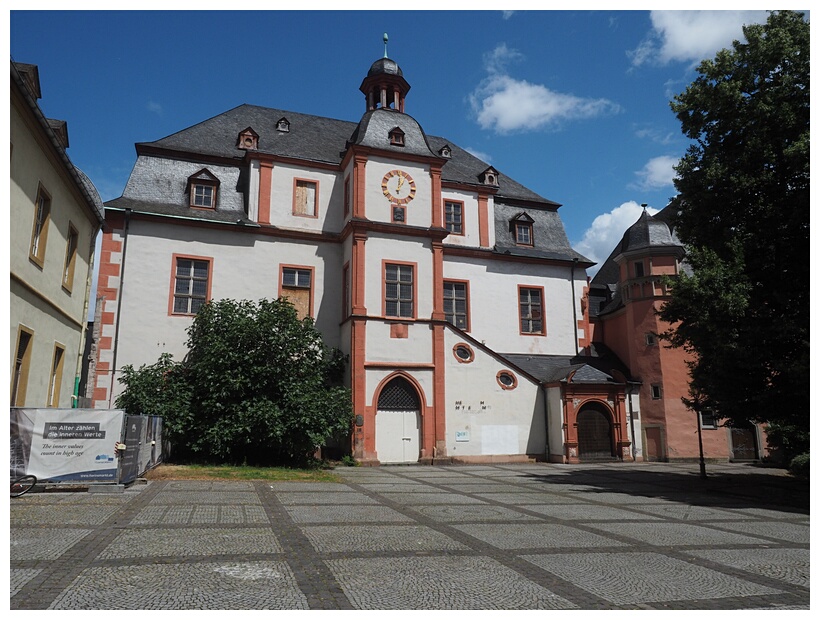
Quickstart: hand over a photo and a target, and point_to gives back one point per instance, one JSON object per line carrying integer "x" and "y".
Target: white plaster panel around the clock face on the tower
{"x": 377, "y": 205}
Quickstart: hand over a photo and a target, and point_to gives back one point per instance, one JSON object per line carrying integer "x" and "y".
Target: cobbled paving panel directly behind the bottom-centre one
{"x": 337, "y": 539}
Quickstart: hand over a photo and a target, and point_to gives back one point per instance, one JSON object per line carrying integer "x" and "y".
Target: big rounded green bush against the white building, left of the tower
{"x": 259, "y": 383}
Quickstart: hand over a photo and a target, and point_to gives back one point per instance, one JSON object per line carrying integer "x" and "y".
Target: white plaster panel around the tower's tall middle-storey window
{"x": 379, "y": 247}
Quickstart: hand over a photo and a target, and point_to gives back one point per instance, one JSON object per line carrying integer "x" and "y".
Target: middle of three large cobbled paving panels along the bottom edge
{"x": 436, "y": 583}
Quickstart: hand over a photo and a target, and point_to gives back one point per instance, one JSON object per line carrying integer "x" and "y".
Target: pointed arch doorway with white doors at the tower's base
{"x": 398, "y": 423}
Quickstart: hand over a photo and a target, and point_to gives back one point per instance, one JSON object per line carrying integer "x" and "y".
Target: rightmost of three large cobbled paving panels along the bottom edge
{"x": 630, "y": 578}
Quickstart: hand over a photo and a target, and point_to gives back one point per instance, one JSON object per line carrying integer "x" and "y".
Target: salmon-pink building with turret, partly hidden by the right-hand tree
{"x": 624, "y": 298}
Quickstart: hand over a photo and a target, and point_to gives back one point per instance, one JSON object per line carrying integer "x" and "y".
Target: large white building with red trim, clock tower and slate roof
{"x": 465, "y": 314}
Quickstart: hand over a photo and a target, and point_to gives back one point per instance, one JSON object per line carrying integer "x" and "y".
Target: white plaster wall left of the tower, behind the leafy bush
{"x": 244, "y": 267}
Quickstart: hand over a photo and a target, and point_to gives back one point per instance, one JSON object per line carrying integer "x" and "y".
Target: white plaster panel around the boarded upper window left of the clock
{"x": 330, "y": 202}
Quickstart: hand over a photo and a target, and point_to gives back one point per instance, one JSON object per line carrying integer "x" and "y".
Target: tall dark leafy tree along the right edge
{"x": 743, "y": 213}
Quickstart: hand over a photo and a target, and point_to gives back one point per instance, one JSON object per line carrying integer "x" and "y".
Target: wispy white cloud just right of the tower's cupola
{"x": 506, "y": 105}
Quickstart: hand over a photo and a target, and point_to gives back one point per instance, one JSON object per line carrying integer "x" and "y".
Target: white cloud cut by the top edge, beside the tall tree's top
{"x": 692, "y": 36}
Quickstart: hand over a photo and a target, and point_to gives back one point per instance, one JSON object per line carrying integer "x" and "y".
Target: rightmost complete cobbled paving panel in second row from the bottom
{"x": 673, "y": 534}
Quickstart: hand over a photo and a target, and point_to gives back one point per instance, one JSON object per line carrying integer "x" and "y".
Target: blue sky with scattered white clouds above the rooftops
{"x": 572, "y": 104}
